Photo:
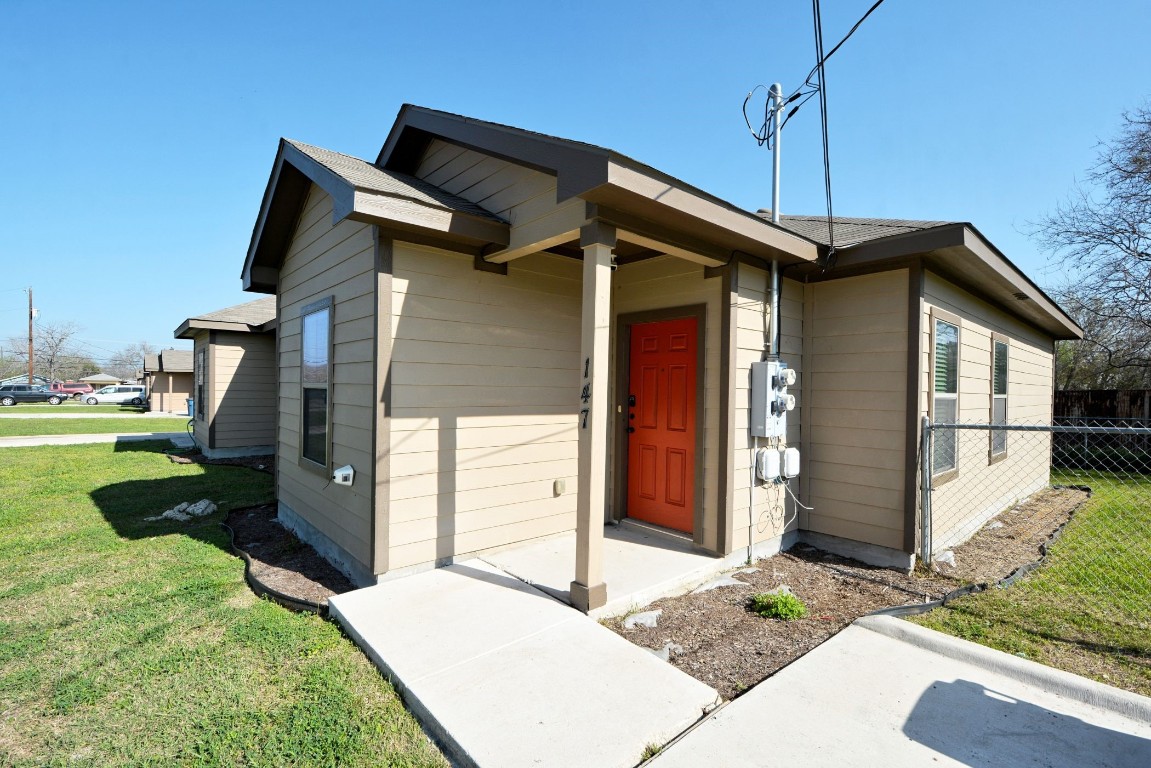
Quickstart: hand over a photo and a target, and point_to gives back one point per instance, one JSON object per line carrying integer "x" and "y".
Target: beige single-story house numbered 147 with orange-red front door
{"x": 499, "y": 337}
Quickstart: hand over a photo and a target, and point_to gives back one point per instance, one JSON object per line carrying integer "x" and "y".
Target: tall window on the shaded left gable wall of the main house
{"x": 316, "y": 346}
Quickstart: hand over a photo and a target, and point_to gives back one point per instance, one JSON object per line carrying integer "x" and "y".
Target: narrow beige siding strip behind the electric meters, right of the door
{"x": 763, "y": 512}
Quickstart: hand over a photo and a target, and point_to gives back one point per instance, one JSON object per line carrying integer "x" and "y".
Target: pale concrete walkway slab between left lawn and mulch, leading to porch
{"x": 504, "y": 675}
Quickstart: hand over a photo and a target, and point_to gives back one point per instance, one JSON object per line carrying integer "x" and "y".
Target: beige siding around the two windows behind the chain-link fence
{"x": 985, "y": 489}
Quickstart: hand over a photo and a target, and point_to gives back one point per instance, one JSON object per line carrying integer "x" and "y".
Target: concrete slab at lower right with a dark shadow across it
{"x": 887, "y": 693}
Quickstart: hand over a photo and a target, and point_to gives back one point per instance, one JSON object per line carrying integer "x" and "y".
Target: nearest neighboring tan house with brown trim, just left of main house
{"x": 235, "y": 378}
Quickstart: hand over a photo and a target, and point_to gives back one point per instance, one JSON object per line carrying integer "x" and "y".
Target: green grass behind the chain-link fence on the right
{"x": 1088, "y": 610}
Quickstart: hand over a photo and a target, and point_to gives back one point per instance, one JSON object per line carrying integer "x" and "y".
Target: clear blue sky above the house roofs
{"x": 139, "y": 136}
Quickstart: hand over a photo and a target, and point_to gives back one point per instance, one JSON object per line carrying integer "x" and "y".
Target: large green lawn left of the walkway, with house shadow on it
{"x": 133, "y": 643}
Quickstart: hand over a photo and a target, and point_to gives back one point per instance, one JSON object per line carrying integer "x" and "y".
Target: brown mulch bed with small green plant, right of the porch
{"x": 715, "y": 638}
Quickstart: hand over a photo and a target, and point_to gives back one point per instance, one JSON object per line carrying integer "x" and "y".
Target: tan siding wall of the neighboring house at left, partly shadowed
{"x": 245, "y": 389}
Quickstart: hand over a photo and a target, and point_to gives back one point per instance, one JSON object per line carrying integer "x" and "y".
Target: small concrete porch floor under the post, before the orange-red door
{"x": 639, "y": 567}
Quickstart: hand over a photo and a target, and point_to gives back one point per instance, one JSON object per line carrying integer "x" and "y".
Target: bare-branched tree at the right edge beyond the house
{"x": 1101, "y": 239}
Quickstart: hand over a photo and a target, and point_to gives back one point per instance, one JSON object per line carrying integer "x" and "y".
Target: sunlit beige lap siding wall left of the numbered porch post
{"x": 484, "y": 398}
